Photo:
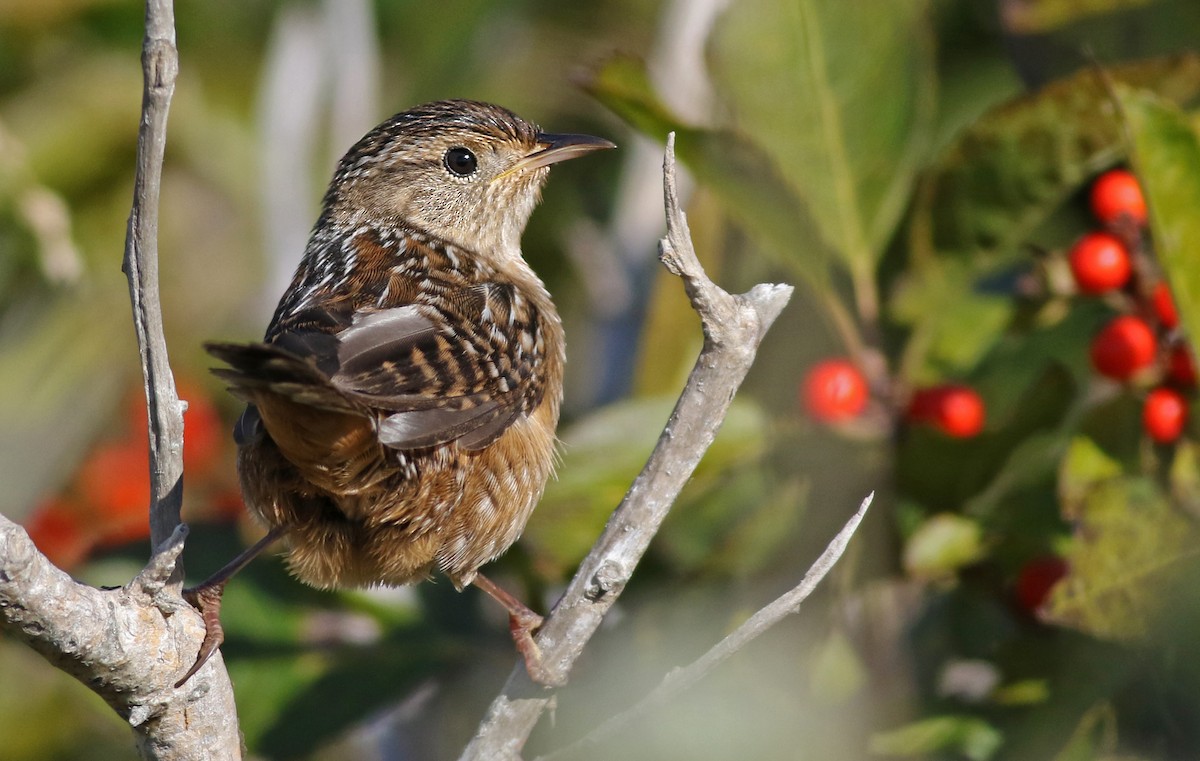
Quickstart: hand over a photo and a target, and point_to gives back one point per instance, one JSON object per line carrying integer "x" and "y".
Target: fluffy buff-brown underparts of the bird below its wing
{"x": 449, "y": 511}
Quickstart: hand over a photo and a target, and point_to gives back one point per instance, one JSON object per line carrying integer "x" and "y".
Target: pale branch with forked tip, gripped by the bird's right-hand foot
{"x": 734, "y": 328}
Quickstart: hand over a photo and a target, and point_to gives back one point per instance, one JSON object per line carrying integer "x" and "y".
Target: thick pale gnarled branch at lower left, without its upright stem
{"x": 127, "y": 645}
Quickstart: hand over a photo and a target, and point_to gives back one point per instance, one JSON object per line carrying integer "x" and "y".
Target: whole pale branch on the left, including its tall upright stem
{"x": 130, "y": 645}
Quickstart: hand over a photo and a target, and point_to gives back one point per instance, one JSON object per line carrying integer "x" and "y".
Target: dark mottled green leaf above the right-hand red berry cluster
{"x": 1004, "y": 177}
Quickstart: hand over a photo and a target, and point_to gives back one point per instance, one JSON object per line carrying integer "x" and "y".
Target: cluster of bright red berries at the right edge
{"x": 1142, "y": 344}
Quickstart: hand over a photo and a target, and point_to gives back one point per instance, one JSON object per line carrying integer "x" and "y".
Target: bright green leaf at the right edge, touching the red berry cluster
{"x": 1166, "y": 152}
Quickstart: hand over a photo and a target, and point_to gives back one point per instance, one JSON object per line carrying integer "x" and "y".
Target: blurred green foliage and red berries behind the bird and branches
{"x": 923, "y": 171}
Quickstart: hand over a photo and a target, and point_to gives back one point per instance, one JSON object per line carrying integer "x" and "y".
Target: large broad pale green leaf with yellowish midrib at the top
{"x": 849, "y": 111}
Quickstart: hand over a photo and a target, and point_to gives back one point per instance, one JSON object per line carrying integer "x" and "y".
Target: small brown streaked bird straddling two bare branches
{"x": 401, "y": 410}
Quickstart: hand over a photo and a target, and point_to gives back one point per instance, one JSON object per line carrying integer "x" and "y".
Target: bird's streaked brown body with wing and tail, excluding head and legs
{"x": 401, "y": 410}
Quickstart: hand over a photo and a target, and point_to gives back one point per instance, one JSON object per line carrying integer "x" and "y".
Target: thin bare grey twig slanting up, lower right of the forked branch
{"x": 767, "y": 618}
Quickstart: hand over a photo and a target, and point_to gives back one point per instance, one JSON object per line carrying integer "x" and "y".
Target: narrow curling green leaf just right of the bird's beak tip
{"x": 747, "y": 182}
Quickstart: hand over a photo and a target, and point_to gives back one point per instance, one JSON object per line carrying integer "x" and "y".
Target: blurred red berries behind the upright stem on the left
{"x": 105, "y": 506}
